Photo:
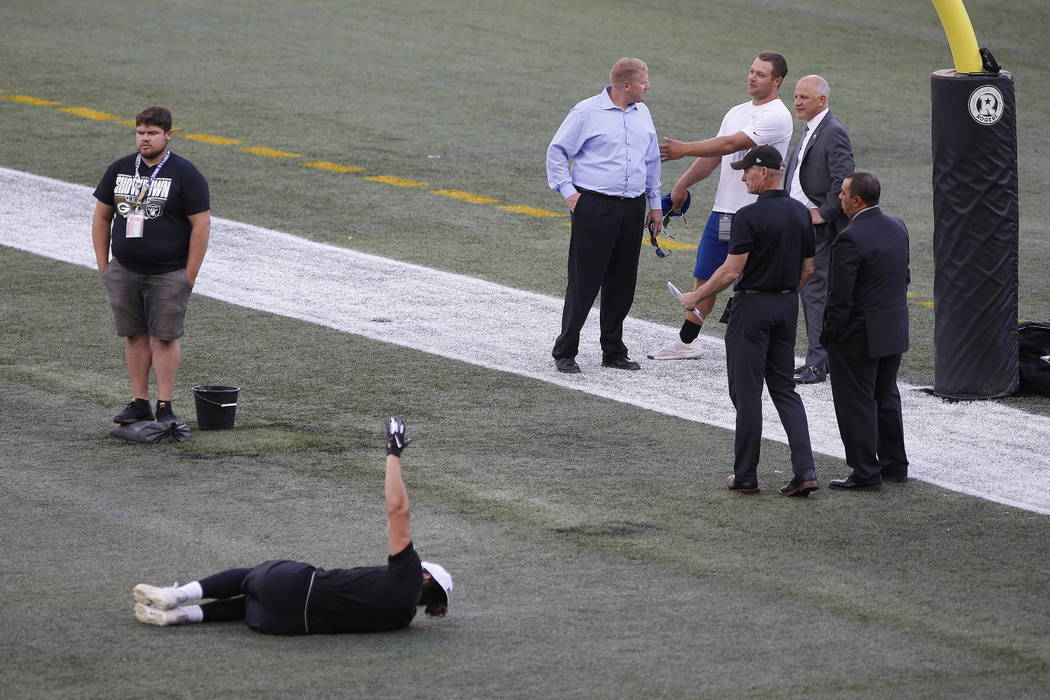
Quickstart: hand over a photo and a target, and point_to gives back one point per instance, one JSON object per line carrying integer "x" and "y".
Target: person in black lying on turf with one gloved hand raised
{"x": 292, "y": 598}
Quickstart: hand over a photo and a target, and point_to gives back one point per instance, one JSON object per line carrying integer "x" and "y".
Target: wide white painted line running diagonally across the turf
{"x": 981, "y": 449}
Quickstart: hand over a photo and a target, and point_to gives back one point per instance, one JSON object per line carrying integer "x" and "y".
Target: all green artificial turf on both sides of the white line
{"x": 594, "y": 551}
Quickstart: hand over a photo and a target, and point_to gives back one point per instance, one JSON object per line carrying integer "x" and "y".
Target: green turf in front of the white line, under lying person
{"x": 597, "y": 559}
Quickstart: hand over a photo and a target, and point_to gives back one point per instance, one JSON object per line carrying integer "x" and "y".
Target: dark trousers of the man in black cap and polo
{"x": 761, "y": 349}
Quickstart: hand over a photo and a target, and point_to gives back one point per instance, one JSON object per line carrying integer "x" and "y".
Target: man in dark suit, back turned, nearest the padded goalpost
{"x": 866, "y": 333}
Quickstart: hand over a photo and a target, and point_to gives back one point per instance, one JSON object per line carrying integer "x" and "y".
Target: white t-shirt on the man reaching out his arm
{"x": 767, "y": 124}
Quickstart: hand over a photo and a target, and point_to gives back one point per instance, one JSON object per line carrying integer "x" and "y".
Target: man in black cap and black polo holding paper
{"x": 770, "y": 259}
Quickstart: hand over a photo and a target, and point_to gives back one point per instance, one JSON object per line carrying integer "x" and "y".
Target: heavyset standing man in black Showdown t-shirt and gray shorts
{"x": 154, "y": 209}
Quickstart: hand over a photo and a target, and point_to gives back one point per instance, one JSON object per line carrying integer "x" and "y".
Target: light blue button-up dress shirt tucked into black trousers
{"x": 614, "y": 152}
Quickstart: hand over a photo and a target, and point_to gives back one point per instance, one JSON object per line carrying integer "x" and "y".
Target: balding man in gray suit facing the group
{"x": 822, "y": 159}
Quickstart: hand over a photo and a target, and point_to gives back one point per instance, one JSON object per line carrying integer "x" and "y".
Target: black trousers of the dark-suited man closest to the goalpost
{"x": 868, "y": 408}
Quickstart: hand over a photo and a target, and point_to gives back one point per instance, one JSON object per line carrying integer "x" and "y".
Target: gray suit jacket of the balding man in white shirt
{"x": 826, "y": 164}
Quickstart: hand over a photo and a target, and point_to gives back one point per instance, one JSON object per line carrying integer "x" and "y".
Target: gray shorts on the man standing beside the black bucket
{"x": 148, "y": 304}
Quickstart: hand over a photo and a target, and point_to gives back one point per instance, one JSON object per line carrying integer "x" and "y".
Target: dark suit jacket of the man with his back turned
{"x": 868, "y": 285}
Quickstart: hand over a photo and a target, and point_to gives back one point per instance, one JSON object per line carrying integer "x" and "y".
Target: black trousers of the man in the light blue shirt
{"x": 604, "y": 251}
